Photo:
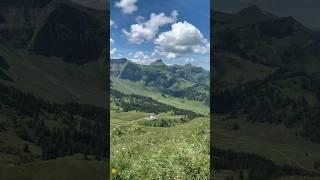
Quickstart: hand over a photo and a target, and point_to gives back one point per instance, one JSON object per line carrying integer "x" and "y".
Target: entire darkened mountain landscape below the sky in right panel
{"x": 265, "y": 96}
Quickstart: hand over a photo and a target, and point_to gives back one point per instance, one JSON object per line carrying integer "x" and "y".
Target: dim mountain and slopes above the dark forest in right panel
{"x": 255, "y": 48}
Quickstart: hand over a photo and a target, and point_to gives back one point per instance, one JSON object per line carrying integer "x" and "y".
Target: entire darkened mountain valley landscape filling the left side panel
{"x": 53, "y": 74}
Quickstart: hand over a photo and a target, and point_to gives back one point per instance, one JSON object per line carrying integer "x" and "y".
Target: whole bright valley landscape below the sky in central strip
{"x": 159, "y": 121}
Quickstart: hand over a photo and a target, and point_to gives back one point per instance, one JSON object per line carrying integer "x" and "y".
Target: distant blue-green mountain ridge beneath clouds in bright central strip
{"x": 186, "y": 81}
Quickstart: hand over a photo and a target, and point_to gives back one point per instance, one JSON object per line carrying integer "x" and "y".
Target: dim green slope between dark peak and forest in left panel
{"x": 53, "y": 79}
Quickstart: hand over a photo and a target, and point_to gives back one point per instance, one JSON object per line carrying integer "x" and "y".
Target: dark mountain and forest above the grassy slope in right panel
{"x": 267, "y": 67}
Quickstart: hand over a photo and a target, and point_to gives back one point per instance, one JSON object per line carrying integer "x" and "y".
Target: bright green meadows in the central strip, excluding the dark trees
{"x": 140, "y": 152}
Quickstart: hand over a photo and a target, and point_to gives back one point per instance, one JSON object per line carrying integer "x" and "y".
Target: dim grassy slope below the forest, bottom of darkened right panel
{"x": 281, "y": 145}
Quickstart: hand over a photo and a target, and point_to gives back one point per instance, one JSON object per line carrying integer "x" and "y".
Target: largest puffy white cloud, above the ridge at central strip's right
{"x": 183, "y": 38}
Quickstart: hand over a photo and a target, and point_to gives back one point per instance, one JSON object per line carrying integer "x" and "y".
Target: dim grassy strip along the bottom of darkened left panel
{"x": 51, "y": 169}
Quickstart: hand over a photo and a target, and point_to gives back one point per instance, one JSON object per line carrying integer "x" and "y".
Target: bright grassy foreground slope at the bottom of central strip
{"x": 180, "y": 152}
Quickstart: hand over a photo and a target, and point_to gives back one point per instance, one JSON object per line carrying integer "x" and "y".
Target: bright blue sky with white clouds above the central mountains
{"x": 176, "y": 31}
